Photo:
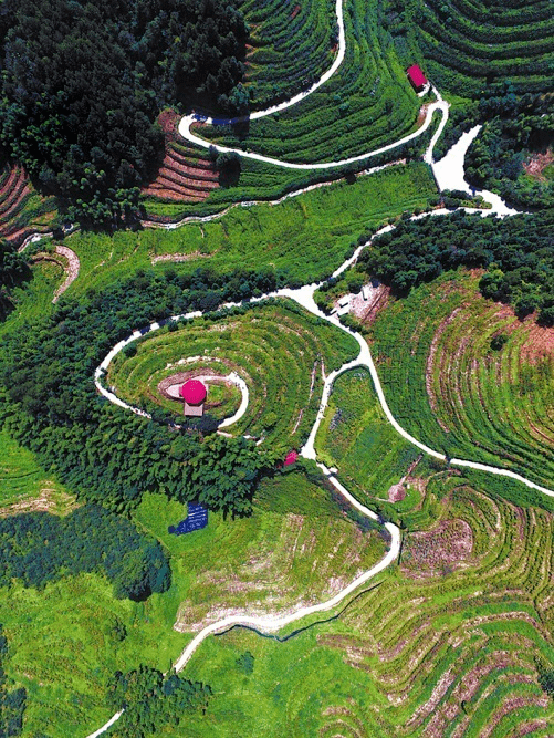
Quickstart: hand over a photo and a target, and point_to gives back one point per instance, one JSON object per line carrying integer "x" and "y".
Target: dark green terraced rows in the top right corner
{"x": 470, "y": 44}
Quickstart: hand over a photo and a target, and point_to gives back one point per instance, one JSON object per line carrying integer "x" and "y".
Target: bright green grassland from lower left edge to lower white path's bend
{"x": 263, "y": 562}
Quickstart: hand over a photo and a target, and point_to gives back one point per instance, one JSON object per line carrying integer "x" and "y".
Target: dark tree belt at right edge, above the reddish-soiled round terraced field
{"x": 517, "y": 251}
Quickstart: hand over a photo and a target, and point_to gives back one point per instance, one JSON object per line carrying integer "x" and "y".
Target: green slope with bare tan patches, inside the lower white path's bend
{"x": 297, "y": 548}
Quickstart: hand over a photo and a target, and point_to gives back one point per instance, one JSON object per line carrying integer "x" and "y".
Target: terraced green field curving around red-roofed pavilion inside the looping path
{"x": 278, "y": 349}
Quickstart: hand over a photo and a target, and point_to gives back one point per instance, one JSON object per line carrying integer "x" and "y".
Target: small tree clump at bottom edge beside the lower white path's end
{"x": 153, "y": 701}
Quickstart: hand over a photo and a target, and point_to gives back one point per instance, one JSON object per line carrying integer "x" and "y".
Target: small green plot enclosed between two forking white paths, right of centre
{"x": 356, "y": 437}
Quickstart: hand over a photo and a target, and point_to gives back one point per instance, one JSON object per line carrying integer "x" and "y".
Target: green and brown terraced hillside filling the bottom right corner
{"x": 455, "y": 654}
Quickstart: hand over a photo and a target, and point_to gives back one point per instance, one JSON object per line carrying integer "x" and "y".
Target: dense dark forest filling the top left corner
{"x": 82, "y": 85}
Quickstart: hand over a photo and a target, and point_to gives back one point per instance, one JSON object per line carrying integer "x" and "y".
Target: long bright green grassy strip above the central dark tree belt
{"x": 304, "y": 238}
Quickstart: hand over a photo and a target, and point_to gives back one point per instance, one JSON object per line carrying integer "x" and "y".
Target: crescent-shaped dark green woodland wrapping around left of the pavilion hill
{"x": 104, "y": 453}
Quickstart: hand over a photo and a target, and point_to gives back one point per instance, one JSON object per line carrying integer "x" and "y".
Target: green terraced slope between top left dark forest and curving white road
{"x": 292, "y": 46}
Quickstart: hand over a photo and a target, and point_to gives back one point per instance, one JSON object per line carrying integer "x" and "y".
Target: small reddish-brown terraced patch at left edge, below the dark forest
{"x": 22, "y": 210}
